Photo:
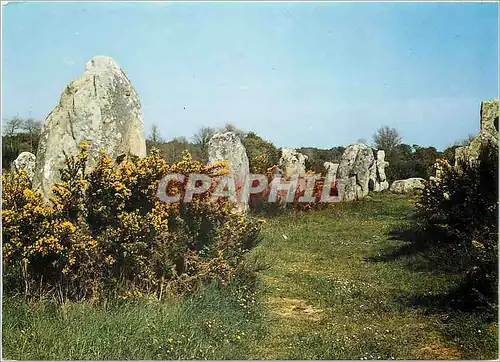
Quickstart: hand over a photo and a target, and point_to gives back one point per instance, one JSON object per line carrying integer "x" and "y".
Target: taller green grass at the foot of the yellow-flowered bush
{"x": 211, "y": 324}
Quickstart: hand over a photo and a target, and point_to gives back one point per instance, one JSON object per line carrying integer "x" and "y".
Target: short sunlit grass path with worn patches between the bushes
{"x": 329, "y": 297}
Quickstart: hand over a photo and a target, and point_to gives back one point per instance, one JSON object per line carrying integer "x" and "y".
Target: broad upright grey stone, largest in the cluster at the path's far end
{"x": 354, "y": 172}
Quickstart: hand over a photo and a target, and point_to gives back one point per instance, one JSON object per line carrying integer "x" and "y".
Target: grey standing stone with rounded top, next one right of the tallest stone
{"x": 228, "y": 147}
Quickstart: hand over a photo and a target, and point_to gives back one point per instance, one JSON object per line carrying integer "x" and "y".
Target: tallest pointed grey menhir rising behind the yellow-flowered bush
{"x": 101, "y": 107}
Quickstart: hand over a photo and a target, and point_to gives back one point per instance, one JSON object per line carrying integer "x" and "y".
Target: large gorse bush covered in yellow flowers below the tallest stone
{"x": 106, "y": 232}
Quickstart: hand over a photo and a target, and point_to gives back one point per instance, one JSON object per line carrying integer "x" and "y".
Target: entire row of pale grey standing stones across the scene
{"x": 103, "y": 108}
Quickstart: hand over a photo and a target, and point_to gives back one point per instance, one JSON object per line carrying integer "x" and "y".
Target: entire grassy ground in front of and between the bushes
{"x": 343, "y": 283}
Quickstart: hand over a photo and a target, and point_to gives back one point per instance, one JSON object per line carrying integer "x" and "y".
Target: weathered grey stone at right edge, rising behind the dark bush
{"x": 488, "y": 134}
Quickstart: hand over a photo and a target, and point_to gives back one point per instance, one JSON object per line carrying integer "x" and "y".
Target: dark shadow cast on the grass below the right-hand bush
{"x": 429, "y": 250}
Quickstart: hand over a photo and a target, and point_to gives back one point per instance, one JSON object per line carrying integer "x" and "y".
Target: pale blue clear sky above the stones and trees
{"x": 298, "y": 74}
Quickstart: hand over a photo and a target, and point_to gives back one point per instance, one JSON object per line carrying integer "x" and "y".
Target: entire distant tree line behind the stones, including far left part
{"x": 405, "y": 160}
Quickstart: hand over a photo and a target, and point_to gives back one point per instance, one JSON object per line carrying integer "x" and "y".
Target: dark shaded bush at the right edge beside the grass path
{"x": 463, "y": 205}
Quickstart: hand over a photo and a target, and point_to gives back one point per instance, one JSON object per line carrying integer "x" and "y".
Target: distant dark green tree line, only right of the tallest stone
{"x": 405, "y": 160}
